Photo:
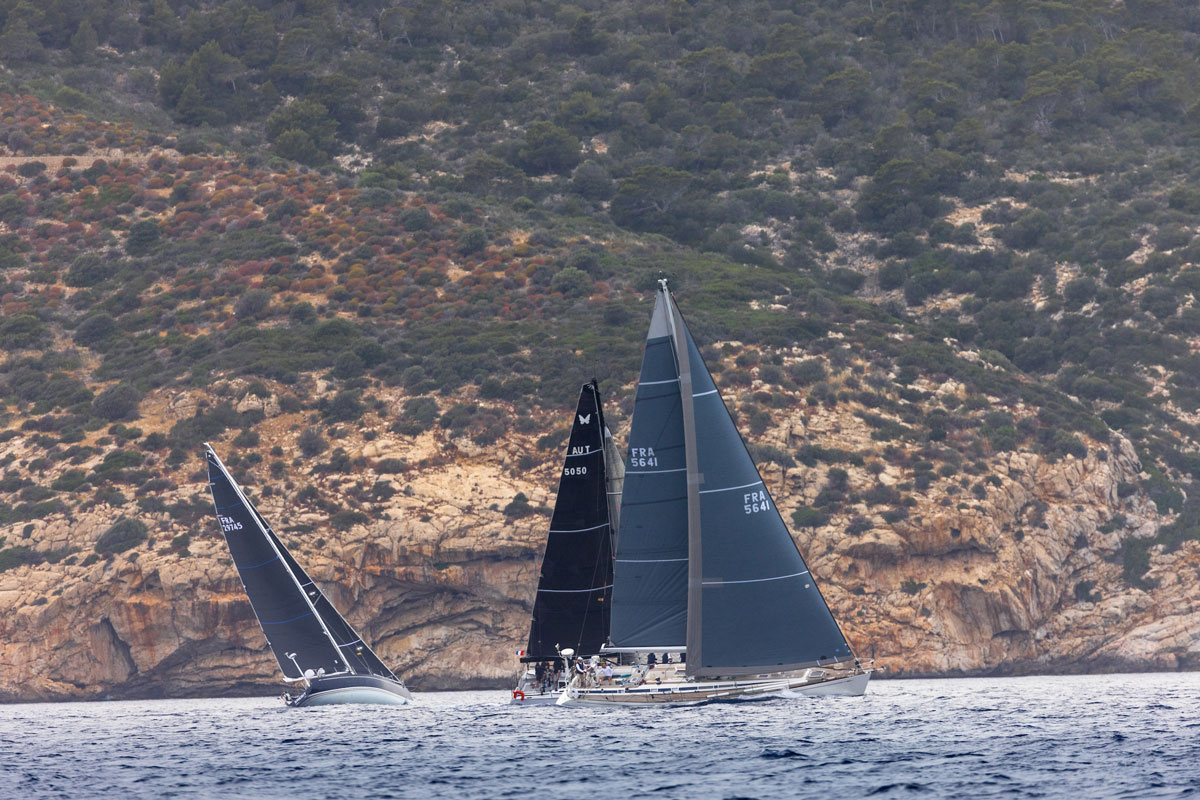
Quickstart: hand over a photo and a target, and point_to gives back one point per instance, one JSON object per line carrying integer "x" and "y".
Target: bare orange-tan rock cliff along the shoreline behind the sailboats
{"x": 1016, "y": 576}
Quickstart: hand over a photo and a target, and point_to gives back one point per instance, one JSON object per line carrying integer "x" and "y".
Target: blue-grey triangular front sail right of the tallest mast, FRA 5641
{"x": 761, "y": 610}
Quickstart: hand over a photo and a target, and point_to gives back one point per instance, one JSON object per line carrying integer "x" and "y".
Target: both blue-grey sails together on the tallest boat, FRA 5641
{"x": 705, "y": 560}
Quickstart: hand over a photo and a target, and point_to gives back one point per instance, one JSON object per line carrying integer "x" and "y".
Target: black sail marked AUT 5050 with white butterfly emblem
{"x": 575, "y": 586}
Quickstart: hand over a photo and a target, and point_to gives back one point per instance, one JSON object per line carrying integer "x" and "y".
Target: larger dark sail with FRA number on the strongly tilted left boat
{"x": 286, "y": 618}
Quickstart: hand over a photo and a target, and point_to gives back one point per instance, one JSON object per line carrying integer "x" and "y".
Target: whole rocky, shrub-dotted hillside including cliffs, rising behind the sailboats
{"x": 968, "y": 370}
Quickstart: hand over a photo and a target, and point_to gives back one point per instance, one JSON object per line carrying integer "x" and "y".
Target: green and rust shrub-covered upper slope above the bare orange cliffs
{"x": 476, "y": 197}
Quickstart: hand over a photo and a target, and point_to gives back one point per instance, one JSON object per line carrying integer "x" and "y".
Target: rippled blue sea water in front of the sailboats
{"x": 1072, "y": 737}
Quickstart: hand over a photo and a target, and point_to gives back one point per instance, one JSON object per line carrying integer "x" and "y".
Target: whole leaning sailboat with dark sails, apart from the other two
{"x": 313, "y": 643}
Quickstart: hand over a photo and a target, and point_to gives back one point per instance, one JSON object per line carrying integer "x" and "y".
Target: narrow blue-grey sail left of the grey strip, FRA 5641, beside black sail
{"x": 650, "y": 606}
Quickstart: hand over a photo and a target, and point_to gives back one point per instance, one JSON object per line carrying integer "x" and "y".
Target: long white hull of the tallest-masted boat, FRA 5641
{"x": 688, "y": 694}
